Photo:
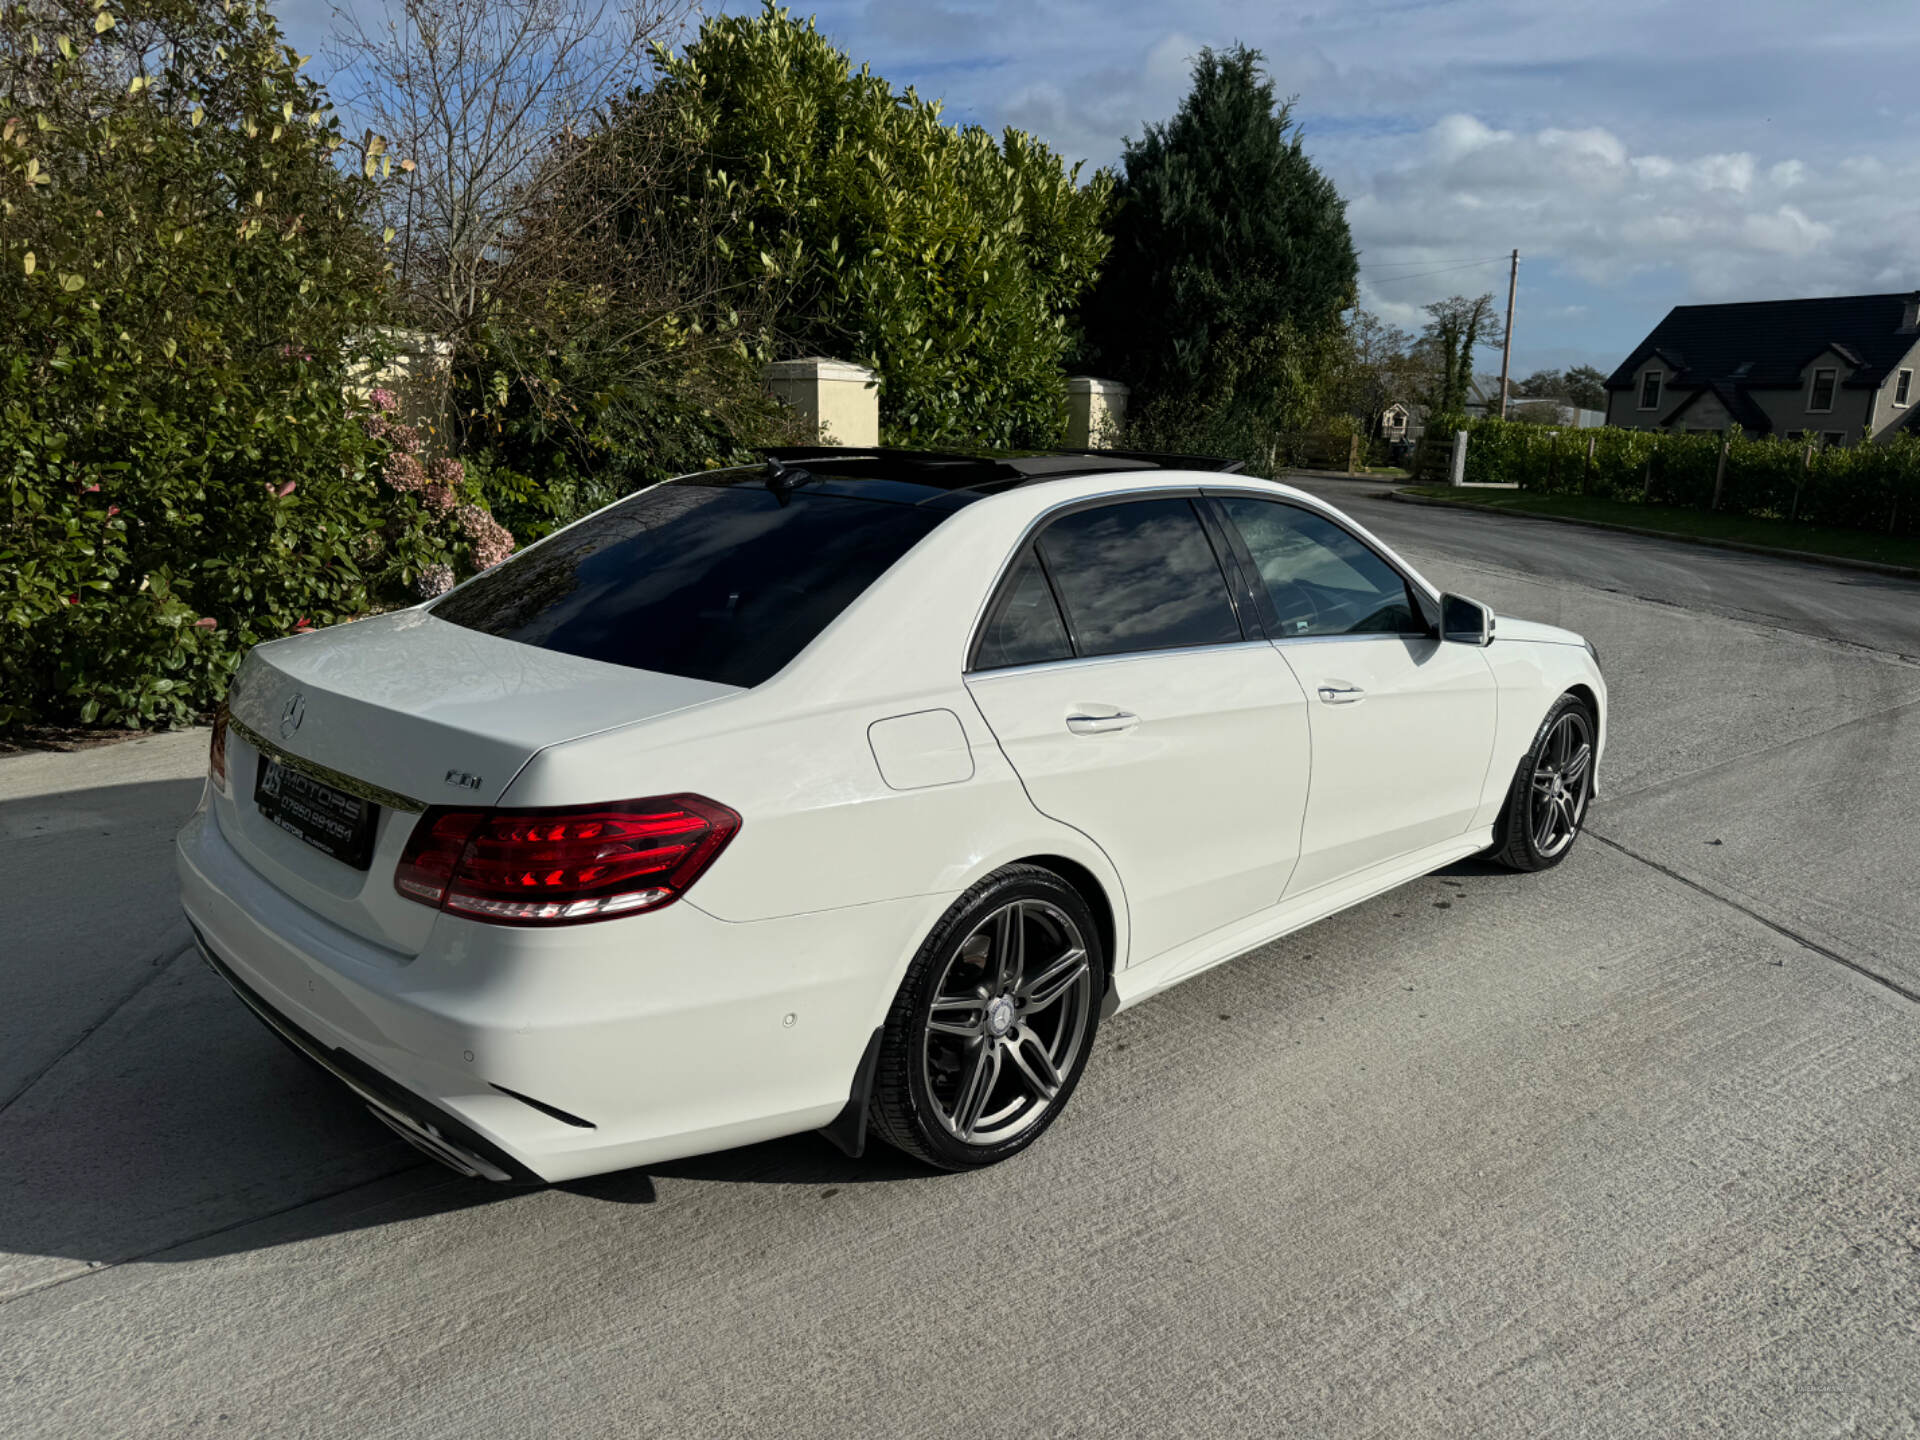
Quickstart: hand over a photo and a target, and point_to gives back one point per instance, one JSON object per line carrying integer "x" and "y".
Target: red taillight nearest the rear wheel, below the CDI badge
{"x": 562, "y": 867}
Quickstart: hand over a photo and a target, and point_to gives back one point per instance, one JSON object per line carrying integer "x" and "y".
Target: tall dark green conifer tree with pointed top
{"x": 1232, "y": 254}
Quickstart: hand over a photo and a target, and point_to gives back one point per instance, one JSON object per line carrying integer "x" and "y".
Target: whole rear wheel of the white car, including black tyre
{"x": 994, "y": 1022}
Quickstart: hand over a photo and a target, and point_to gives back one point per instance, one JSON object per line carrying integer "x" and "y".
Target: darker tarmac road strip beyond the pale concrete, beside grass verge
{"x": 1817, "y": 600}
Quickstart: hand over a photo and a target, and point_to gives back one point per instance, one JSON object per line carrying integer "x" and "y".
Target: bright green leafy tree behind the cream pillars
{"x": 942, "y": 258}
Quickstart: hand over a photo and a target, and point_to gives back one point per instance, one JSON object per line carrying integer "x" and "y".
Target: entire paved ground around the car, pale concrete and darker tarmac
{"x": 1627, "y": 1149}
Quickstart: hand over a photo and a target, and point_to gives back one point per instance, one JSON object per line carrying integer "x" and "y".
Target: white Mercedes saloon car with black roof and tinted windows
{"x": 850, "y": 792}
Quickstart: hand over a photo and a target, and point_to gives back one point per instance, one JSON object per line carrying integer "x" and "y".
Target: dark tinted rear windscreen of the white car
{"x": 715, "y": 583}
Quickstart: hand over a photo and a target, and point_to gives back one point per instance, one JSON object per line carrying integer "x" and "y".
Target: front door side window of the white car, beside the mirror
{"x": 1322, "y": 581}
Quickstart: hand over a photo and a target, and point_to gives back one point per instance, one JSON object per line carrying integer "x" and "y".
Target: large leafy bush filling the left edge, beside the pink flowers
{"x": 187, "y": 281}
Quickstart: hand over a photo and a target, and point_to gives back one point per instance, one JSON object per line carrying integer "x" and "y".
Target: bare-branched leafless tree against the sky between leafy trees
{"x": 477, "y": 101}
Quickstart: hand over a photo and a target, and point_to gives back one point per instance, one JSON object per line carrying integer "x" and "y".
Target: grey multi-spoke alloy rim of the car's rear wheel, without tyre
{"x": 1007, "y": 1022}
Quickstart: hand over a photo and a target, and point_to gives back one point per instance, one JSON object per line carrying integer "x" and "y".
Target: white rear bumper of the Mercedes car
{"x": 552, "y": 1055}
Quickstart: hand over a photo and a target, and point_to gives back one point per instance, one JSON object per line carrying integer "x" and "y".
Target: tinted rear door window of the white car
{"x": 1140, "y": 577}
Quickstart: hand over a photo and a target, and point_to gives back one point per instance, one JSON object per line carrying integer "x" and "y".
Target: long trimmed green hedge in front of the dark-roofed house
{"x": 1871, "y": 489}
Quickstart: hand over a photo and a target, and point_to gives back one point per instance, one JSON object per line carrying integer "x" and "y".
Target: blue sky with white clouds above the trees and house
{"x": 1639, "y": 155}
